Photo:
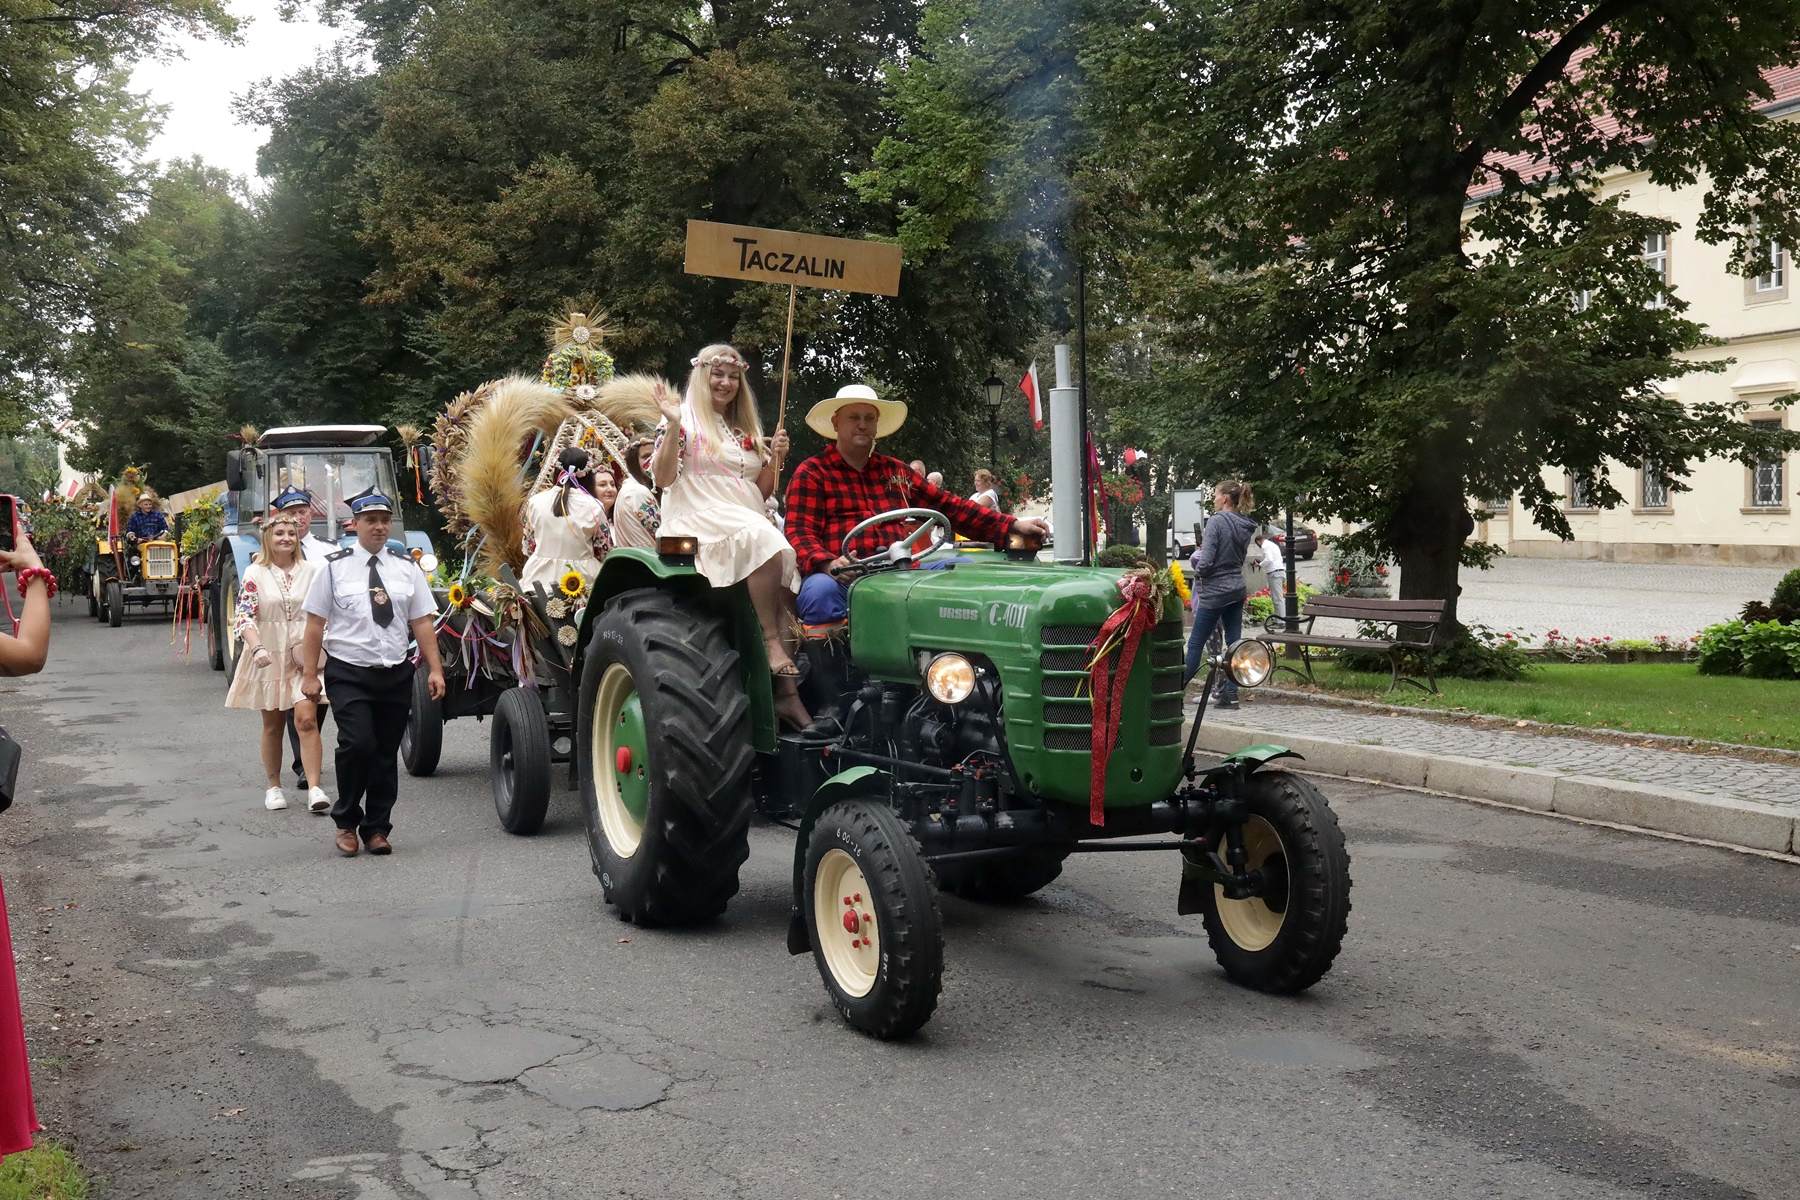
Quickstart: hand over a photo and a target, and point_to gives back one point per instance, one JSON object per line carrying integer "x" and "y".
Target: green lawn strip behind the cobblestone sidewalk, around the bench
{"x": 1637, "y": 697}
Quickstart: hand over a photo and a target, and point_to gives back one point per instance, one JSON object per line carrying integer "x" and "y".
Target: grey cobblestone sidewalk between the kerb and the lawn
{"x": 1707, "y": 775}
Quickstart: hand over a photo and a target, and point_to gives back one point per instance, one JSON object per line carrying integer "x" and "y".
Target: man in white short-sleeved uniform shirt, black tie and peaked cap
{"x": 364, "y": 607}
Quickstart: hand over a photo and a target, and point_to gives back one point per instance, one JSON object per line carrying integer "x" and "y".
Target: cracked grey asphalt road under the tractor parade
{"x": 219, "y": 1007}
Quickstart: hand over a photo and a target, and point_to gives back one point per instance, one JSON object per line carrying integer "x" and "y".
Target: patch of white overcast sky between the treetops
{"x": 201, "y": 87}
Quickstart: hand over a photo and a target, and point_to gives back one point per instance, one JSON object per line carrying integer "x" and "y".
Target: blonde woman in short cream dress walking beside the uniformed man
{"x": 271, "y": 625}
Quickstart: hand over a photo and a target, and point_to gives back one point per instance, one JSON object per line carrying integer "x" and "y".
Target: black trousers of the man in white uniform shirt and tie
{"x": 372, "y": 708}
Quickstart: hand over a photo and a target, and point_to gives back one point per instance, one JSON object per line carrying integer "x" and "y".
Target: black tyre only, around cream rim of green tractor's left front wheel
{"x": 906, "y": 908}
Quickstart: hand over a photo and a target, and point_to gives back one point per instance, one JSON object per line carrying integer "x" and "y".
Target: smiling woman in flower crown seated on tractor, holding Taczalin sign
{"x": 715, "y": 470}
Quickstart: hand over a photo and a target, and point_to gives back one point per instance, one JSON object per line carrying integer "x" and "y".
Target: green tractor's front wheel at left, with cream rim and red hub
{"x": 872, "y": 917}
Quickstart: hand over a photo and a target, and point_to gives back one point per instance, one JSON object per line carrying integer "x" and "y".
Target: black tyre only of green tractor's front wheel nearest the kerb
{"x": 1318, "y": 909}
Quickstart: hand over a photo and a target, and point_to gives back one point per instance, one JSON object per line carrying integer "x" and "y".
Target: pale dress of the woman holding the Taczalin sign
{"x": 717, "y": 501}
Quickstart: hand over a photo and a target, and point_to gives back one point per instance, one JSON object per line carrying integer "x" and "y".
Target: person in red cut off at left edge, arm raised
{"x": 21, "y": 654}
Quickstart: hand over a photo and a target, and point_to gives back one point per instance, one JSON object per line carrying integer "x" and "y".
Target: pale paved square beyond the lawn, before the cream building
{"x": 1592, "y": 600}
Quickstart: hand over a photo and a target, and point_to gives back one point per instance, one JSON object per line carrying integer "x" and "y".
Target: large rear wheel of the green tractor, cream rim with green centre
{"x": 663, "y": 753}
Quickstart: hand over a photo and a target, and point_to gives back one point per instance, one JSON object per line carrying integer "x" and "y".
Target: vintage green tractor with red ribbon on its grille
{"x": 953, "y": 751}
